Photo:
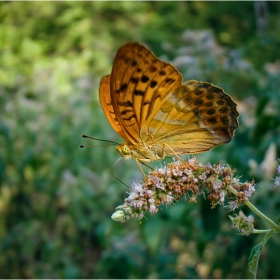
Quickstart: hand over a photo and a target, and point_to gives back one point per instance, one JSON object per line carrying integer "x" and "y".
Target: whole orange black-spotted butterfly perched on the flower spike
{"x": 156, "y": 114}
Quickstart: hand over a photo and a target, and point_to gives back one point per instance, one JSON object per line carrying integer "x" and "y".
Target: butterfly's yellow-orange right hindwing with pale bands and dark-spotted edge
{"x": 195, "y": 117}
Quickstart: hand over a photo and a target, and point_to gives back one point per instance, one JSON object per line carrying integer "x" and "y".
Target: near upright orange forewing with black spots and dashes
{"x": 140, "y": 82}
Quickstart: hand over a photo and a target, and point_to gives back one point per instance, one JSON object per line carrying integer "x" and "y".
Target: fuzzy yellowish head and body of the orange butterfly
{"x": 141, "y": 152}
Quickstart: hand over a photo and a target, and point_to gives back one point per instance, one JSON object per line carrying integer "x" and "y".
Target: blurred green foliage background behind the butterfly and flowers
{"x": 56, "y": 199}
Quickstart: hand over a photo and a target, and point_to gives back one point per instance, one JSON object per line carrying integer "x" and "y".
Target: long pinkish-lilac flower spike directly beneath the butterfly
{"x": 190, "y": 178}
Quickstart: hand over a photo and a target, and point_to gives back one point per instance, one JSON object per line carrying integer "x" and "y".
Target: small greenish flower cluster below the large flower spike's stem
{"x": 244, "y": 225}
